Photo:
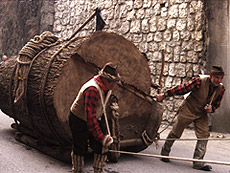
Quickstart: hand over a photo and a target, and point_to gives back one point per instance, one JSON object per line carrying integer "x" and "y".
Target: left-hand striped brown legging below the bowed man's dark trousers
{"x": 77, "y": 163}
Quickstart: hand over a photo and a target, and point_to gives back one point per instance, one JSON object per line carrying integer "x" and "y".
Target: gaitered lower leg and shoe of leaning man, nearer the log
{"x": 167, "y": 147}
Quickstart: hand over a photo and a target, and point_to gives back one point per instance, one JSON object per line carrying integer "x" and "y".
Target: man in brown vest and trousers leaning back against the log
{"x": 205, "y": 97}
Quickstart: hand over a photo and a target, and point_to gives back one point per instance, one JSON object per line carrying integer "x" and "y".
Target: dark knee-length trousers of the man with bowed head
{"x": 81, "y": 136}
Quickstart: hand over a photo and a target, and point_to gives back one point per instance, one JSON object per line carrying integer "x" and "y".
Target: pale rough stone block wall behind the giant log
{"x": 177, "y": 26}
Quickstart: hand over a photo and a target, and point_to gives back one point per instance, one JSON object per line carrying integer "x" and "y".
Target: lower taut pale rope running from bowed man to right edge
{"x": 173, "y": 158}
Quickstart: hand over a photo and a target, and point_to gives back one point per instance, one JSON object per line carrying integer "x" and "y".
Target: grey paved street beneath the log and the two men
{"x": 16, "y": 157}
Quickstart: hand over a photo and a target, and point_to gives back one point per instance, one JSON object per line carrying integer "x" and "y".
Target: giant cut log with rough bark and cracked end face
{"x": 55, "y": 76}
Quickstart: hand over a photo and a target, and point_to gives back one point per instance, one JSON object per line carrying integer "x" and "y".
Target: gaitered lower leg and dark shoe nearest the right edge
{"x": 199, "y": 153}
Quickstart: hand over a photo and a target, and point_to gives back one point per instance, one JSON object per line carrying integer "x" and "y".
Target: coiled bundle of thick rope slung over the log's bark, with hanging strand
{"x": 26, "y": 56}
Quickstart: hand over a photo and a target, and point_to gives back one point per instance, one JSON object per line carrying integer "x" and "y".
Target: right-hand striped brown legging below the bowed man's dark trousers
{"x": 99, "y": 163}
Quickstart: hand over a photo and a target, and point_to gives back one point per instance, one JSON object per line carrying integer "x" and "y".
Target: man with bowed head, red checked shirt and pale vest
{"x": 86, "y": 120}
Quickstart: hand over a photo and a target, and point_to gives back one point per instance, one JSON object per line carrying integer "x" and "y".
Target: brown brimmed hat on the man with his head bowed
{"x": 109, "y": 72}
